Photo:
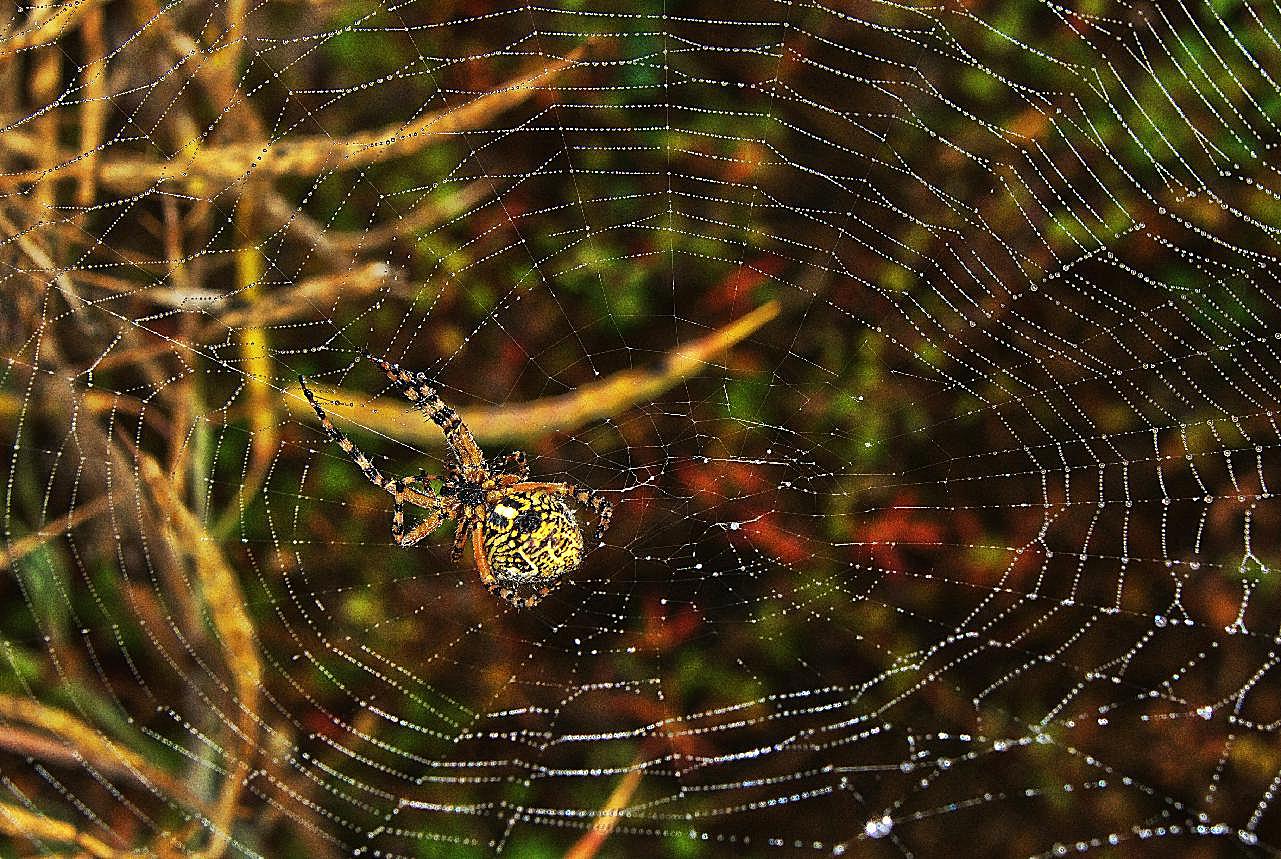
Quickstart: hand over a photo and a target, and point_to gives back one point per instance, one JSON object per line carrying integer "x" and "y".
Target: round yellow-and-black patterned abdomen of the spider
{"x": 531, "y": 541}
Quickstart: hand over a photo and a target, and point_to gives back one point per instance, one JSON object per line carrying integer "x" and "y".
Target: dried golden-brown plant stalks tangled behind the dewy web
{"x": 159, "y": 495}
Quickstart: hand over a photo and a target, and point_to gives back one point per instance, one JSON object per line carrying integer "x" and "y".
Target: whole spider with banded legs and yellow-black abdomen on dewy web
{"x": 523, "y": 532}
